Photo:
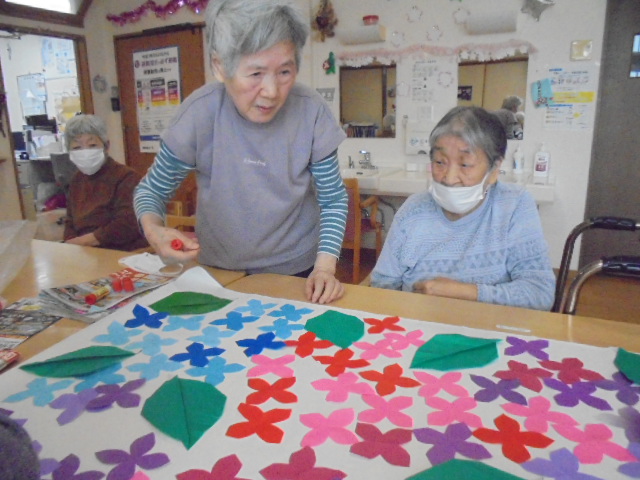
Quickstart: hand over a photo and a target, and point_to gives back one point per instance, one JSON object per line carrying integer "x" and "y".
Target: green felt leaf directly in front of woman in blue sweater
{"x": 453, "y": 352}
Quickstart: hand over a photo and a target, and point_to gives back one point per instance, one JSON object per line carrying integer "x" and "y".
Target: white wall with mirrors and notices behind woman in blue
{"x": 551, "y": 37}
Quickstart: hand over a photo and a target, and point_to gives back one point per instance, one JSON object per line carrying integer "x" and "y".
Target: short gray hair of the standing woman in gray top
{"x": 235, "y": 28}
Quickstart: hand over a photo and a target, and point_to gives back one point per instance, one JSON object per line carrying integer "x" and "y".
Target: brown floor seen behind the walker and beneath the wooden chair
{"x": 613, "y": 298}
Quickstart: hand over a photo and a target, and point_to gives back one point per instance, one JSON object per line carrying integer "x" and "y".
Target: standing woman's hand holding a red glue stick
{"x": 161, "y": 238}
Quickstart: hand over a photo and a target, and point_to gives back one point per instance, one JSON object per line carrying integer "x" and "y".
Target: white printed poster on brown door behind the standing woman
{"x": 157, "y": 79}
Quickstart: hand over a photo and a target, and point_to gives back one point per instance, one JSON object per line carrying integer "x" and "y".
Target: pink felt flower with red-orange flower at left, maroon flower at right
{"x": 334, "y": 427}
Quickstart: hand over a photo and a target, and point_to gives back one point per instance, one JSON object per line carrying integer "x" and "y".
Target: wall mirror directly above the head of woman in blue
{"x": 487, "y": 84}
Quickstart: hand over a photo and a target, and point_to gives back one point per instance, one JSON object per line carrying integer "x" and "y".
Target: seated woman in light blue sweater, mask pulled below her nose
{"x": 470, "y": 237}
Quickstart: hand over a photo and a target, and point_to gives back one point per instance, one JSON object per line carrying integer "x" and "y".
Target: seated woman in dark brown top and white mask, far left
{"x": 100, "y": 198}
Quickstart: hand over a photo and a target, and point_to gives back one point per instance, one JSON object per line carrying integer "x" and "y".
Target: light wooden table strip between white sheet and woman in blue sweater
{"x": 587, "y": 330}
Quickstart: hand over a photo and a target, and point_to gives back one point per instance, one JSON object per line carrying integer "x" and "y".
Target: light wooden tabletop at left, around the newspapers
{"x": 54, "y": 264}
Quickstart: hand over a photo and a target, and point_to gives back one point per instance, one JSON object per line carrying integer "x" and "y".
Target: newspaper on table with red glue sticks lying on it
{"x": 69, "y": 300}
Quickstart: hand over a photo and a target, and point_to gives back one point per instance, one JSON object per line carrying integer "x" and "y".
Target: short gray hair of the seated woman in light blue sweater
{"x": 475, "y": 126}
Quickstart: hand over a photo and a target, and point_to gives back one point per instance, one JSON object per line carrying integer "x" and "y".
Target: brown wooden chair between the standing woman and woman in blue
{"x": 357, "y": 225}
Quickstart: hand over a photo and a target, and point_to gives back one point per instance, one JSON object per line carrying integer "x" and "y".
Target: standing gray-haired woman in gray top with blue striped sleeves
{"x": 258, "y": 143}
